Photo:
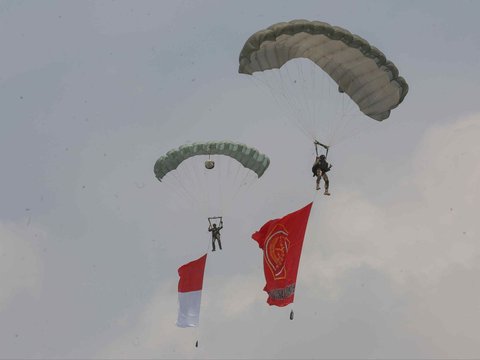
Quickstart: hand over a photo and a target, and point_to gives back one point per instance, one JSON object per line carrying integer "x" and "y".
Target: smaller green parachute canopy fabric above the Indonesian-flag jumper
{"x": 249, "y": 157}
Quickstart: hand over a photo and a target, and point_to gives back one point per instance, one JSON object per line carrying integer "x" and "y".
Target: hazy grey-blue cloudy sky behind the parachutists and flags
{"x": 93, "y": 93}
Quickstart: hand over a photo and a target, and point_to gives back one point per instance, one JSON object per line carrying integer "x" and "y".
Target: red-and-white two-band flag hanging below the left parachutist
{"x": 190, "y": 292}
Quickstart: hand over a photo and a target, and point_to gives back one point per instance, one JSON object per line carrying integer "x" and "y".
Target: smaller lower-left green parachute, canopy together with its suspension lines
{"x": 208, "y": 176}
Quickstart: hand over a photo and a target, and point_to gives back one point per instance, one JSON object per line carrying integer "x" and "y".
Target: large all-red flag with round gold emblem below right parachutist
{"x": 281, "y": 241}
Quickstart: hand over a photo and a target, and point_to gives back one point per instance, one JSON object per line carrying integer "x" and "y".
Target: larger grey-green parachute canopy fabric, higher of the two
{"x": 360, "y": 69}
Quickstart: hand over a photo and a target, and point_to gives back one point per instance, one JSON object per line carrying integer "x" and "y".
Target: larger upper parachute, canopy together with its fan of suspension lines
{"x": 329, "y": 82}
